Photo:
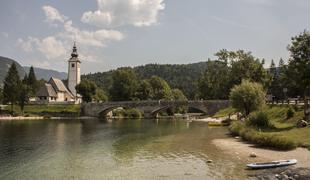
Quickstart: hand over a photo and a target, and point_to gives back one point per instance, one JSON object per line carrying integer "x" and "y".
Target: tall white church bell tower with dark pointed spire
{"x": 74, "y": 70}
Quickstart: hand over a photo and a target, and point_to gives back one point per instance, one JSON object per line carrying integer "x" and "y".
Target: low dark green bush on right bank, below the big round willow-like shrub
{"x": 259, "y": 120}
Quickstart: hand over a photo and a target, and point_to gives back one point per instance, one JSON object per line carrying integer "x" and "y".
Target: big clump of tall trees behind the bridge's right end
{"x": 228, "y": 70}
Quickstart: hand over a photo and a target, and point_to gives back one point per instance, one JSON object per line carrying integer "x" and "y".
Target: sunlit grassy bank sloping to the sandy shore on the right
{"x": 283, "y": 133}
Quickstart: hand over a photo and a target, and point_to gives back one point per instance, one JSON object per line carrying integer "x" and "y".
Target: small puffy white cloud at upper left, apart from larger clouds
{"x": 53, "y": 16}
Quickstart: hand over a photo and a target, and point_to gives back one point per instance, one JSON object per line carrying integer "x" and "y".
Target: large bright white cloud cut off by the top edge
{"x": 113, "y": 13}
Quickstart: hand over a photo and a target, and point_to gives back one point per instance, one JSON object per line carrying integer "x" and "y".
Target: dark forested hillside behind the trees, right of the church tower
{"x": 182, "y": 76}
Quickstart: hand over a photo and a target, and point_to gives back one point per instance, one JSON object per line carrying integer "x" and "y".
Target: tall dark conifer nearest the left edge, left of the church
{"x": 11, "y": 88}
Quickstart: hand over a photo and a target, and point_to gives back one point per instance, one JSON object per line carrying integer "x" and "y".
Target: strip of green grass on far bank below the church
{"x": 39, "y": 109}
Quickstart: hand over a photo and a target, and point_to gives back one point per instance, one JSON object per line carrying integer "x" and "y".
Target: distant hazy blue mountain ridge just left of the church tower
{"x": 46, "y": 74}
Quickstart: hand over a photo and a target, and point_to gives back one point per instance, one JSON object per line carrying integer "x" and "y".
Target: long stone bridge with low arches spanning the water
{"x": 151, "y": 108}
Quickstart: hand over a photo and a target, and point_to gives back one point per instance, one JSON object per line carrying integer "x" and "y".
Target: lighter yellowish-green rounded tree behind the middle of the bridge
{"x": 160, "y": 88}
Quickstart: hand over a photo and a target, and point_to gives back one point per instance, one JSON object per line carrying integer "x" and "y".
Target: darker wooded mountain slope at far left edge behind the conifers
{"x": 5, "y": 64}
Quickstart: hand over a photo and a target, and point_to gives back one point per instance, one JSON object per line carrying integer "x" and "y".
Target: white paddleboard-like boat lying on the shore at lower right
{"x": 272, "y": 164}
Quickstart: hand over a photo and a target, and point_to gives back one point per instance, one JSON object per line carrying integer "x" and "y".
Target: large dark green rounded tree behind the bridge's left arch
{"x": 124, "y": 85}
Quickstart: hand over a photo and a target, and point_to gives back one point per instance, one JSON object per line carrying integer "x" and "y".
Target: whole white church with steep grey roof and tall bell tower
{"x": 55, "y": 91}
